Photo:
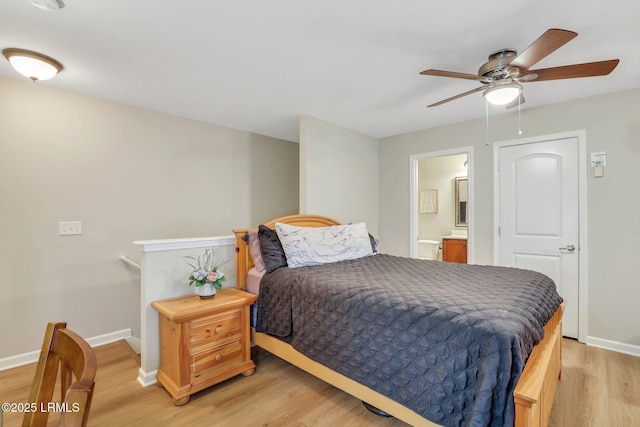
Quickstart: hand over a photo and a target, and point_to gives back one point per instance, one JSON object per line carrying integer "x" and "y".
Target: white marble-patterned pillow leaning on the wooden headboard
{"x": 320, "y": 245}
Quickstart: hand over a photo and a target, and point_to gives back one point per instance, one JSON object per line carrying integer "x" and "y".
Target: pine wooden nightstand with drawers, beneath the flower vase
{"x": 203, "y": 342}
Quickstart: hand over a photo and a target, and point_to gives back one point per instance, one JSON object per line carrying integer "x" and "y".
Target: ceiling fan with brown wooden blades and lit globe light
{"x": 506, "y": 69}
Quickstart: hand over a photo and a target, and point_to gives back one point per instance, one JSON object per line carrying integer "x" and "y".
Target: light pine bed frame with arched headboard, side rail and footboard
{"x": 534, "y": 393}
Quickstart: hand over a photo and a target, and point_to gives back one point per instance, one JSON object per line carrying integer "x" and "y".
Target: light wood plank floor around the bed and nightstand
{"x": 598, "y": 388}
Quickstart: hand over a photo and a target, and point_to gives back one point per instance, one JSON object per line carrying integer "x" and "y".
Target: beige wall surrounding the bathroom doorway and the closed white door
{"x": 612, "y": 124}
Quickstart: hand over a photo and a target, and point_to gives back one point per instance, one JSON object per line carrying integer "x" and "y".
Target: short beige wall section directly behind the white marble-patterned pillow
{"x": 338, "y": 173}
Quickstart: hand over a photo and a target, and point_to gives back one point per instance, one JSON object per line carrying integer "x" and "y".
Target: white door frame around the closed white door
{"x": 581, "y": 135}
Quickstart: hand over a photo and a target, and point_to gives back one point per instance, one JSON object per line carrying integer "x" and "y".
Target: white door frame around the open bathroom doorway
{"x": 413, "y": 198}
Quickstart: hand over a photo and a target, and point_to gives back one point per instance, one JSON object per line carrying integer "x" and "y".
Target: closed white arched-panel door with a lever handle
{"x": 539, "y": 215}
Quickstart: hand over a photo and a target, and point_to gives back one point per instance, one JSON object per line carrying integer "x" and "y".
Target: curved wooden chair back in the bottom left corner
{"x": 77, "y": 361}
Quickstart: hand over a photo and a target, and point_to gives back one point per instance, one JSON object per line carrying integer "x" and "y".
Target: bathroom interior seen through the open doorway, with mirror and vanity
{"x": 441, "y": 202}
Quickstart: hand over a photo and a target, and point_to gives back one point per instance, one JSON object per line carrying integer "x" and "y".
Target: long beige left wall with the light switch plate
{"x": 128, "y": 174}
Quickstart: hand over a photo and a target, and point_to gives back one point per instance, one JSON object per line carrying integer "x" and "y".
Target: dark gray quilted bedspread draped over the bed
{"x": 448, "y": 341}
